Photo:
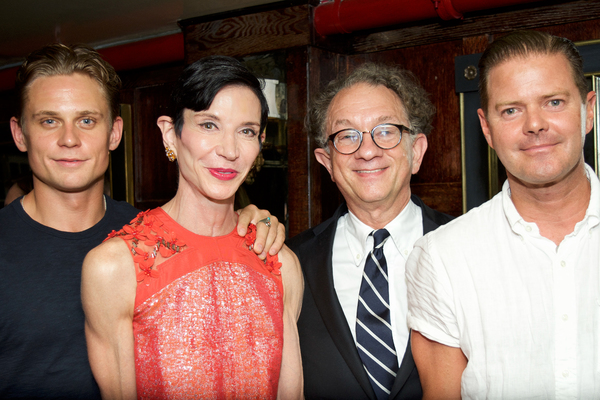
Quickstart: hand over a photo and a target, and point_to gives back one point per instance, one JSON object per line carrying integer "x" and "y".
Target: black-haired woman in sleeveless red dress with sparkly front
{"x": 177, "y": 305}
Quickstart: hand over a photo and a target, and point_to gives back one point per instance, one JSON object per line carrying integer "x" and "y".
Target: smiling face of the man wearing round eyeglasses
{"x": 371, "y": 178}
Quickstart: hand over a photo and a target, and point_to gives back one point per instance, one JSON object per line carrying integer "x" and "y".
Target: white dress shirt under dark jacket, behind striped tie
{"x": 351, "y": 246}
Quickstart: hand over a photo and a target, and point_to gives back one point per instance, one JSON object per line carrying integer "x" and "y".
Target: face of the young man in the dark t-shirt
{"x": 67, "y": 132}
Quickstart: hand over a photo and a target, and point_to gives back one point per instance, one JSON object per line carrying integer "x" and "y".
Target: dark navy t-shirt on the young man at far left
{"x": 42, "y": 343}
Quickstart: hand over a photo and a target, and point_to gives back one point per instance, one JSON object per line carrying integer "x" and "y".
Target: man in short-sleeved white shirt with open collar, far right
{"x": 504, "y": 301}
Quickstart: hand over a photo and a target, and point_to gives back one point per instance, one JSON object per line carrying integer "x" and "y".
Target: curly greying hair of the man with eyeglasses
{"x": 403, "y": 83}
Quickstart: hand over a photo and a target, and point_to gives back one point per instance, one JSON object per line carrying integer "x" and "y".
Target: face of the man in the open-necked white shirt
{"x": 536, "y": 120}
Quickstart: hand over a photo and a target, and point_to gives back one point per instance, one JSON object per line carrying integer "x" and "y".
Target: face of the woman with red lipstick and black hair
{"x": 218, "y": 146}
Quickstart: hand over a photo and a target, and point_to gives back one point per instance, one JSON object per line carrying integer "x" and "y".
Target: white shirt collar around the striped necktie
{"x": 403, "y": 230}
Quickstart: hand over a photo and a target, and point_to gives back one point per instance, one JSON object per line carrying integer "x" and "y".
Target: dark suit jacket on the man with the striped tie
{"x": 332, "y": 367}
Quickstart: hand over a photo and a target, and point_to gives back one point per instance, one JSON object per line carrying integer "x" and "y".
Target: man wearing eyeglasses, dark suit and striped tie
{"x": 354, "y": 338}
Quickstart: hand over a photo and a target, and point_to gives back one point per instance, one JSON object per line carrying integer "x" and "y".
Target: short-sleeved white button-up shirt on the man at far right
{"x": 525, "y": 312}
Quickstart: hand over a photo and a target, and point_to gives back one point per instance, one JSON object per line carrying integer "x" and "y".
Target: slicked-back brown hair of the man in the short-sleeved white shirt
{"x": 523, "y": 44}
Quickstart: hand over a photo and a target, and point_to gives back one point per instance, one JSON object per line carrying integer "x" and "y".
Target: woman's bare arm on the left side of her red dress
{"x": 108, "y": 289}
